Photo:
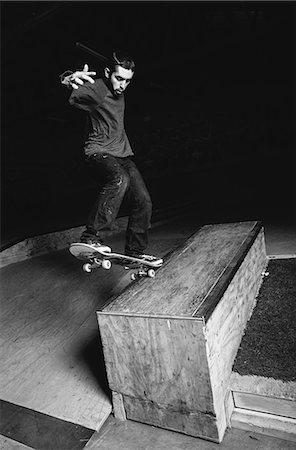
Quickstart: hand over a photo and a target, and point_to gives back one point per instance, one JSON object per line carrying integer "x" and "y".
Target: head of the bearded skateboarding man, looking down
{"x": 119, "y": 72}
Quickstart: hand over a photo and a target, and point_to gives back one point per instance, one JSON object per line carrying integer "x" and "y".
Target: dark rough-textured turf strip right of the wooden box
{"x": 268, "y": 347}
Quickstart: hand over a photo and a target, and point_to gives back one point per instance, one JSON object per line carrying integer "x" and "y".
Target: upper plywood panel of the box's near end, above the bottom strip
{"x": 160, "y": 360}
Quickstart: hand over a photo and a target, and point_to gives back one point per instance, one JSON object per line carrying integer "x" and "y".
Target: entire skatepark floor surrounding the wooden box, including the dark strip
{"x": 54, "y": 389}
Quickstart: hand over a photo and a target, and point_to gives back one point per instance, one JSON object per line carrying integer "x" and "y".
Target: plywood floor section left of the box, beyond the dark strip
{"x": 49, "y": 344}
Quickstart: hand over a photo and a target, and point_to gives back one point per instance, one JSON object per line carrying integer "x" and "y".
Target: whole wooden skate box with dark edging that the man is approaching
{"x": 169, "y": 343}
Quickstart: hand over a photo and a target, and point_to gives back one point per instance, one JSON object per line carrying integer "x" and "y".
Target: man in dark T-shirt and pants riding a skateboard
{"x": 108, "y": 153}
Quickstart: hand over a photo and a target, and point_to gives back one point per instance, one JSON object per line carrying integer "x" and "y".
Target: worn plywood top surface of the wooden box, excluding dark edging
{"x": 188, "y": 274}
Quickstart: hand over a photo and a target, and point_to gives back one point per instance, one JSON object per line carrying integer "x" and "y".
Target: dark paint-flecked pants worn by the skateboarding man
{"x": 121, "y": 180}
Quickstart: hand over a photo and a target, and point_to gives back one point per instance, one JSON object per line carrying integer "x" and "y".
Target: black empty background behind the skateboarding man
{"x": 210, "y": 112}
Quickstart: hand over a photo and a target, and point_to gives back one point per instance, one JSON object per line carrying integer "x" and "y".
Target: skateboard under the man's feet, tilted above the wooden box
{"x": 99, "y": 258}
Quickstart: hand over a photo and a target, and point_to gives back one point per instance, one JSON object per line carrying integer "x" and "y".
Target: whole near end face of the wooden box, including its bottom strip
{"x": 160, "y": 368}
